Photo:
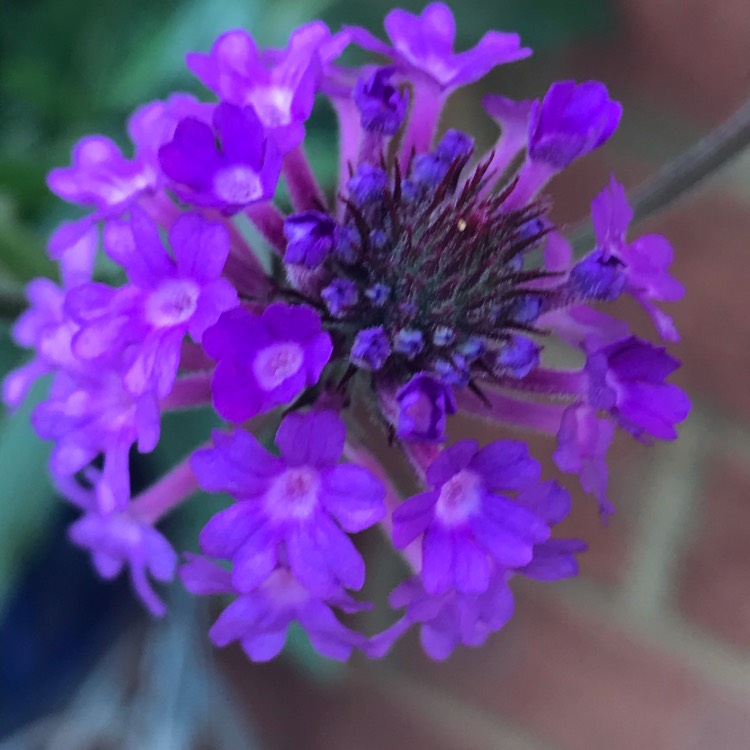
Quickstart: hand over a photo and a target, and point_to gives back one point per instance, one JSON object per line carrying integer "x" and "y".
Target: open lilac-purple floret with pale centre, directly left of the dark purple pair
{"x": 167, "y": 299}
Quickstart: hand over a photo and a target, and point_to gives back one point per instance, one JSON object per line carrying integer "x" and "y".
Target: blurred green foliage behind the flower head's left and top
{"x": 80, "y": 66}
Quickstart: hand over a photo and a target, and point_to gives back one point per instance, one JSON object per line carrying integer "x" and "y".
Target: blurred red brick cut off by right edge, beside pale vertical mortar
{"x": 715, "y": 586}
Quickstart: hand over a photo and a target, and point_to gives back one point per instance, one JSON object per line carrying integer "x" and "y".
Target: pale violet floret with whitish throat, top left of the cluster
{"x": 282, "y": 93}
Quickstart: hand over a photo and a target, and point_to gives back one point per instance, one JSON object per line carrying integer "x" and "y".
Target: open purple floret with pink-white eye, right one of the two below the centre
{"x": 465, "y": 521}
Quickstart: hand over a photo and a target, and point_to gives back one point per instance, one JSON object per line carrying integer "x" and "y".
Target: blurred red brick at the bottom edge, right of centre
{"x": 575, "y": 681}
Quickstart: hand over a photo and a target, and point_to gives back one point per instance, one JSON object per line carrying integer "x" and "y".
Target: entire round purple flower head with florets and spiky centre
{"x": 429, "y": 284}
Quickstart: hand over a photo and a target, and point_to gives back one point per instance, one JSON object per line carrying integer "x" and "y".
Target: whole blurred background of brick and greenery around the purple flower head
{"x": 648, "y": 649}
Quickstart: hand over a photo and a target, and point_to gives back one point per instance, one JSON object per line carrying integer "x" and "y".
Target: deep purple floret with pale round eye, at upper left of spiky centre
{"x": 243, "y": 168}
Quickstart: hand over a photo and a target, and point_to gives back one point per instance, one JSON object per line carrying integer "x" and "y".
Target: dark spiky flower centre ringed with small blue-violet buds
{"x": 435, "y": 263}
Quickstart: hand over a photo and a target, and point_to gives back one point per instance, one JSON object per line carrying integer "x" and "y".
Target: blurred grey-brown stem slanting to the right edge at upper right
{"x": 684, "y": 173}
